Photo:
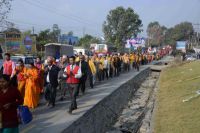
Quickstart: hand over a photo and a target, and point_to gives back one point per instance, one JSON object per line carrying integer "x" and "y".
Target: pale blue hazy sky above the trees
{"x": 87, "y": 16}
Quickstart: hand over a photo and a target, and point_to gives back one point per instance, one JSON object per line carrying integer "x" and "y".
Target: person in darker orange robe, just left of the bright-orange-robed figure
{"x": 19, "y": 72}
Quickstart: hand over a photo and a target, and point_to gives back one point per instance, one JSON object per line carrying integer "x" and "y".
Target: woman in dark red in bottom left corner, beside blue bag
{"x": 10, "y": 98}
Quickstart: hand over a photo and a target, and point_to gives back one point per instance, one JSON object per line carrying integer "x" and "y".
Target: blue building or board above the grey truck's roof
{"x": 68, "y": 39}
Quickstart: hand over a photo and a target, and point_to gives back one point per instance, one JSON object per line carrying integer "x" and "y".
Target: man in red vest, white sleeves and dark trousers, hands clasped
{"x": 73, "y": 73}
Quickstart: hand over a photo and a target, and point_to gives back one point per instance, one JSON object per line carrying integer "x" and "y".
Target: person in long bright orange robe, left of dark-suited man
{"x": 32, "y": 90}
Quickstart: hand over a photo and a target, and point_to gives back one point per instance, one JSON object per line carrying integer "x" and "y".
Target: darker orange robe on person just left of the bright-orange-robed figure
{"x": 20, "y": 71}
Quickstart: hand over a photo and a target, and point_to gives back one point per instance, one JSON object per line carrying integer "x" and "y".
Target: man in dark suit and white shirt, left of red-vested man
{"x": 51, "y": 81}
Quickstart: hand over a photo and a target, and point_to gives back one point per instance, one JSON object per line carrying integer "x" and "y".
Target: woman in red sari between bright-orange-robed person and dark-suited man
{"x": 40, "y": 68}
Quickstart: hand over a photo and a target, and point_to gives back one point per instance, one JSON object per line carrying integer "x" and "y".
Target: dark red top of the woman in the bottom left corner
{"x": 9, "y": 116}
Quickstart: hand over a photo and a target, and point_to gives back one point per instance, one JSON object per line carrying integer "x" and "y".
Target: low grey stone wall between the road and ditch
{"x": 104, "y": 114}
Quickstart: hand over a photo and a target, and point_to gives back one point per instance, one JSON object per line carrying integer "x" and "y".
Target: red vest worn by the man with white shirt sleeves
{"x": 71, "y": 78}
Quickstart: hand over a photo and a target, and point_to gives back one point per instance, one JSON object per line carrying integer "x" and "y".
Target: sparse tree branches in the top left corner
{"x": 5, "y": 6}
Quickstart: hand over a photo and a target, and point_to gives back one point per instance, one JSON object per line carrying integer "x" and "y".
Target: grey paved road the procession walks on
{"x": 55, "y": 120}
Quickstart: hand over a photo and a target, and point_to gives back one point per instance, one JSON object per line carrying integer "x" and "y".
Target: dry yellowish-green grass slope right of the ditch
{"x": 172, "y": 115}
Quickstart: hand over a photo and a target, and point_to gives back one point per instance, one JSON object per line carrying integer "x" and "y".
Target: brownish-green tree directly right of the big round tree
{"x": 156, "y": 34}
